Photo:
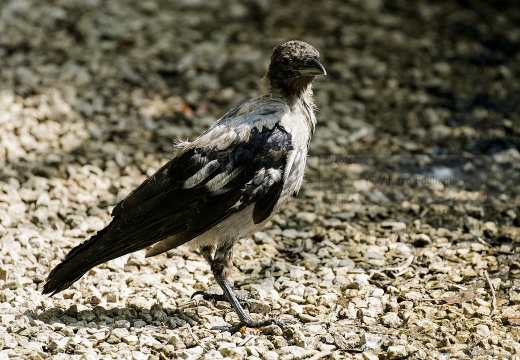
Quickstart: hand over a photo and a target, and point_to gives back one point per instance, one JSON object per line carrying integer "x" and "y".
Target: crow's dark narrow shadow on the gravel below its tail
{"x": 114, "y": 317}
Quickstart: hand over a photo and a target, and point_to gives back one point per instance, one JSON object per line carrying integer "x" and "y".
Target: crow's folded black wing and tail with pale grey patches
{"x": 187, "y": 196}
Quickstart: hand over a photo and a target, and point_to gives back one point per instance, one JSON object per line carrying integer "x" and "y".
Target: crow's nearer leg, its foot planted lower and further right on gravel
{"x": 219, "y": 264}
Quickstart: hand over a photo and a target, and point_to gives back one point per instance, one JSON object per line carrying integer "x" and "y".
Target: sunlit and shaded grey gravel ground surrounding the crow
{"x": 403, "y": 242}
